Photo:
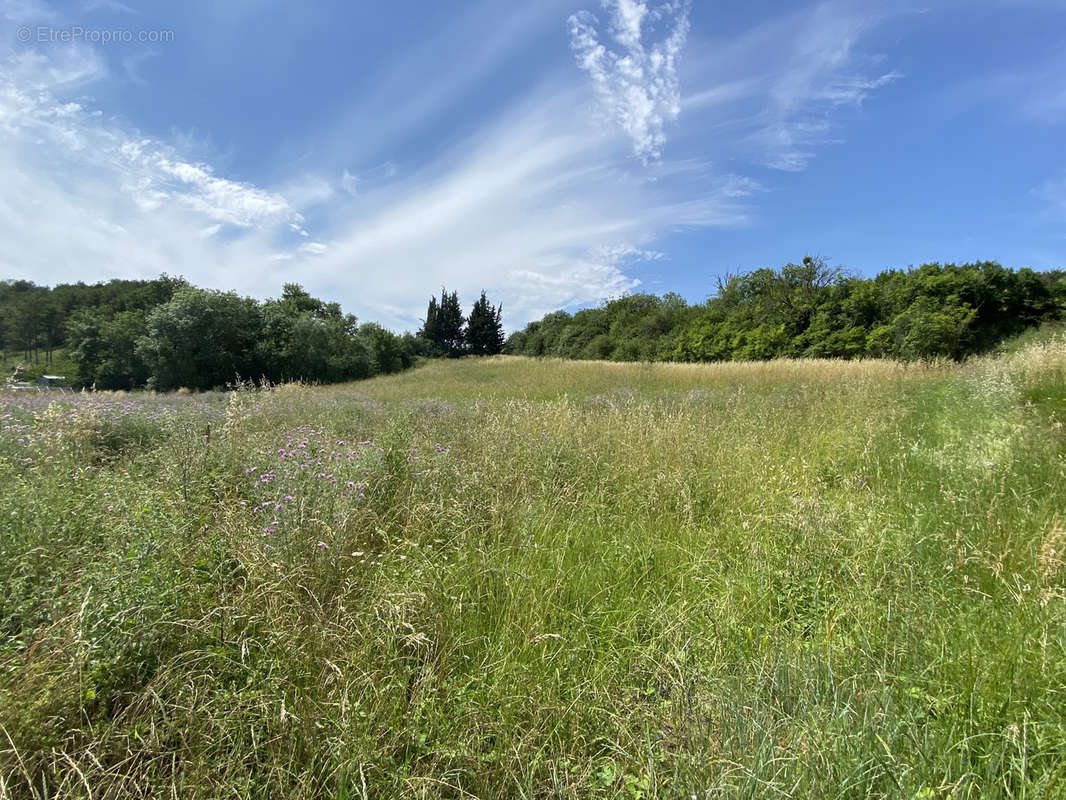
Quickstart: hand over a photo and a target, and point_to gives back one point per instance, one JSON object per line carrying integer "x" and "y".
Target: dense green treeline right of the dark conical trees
{"x": 811, "y": 310}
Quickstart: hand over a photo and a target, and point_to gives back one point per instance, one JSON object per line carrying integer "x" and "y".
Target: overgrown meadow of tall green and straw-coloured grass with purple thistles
{"x": 511, "y": 579}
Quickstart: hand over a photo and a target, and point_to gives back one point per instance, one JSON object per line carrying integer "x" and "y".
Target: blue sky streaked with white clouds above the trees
{"x": 555, "y": 154}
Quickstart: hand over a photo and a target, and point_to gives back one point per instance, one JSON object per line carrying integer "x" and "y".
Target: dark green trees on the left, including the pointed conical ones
{"x": 167, "y": 334}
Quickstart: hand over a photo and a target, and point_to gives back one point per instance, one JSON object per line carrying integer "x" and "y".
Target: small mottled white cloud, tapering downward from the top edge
{"x": 637, "y": 82}
